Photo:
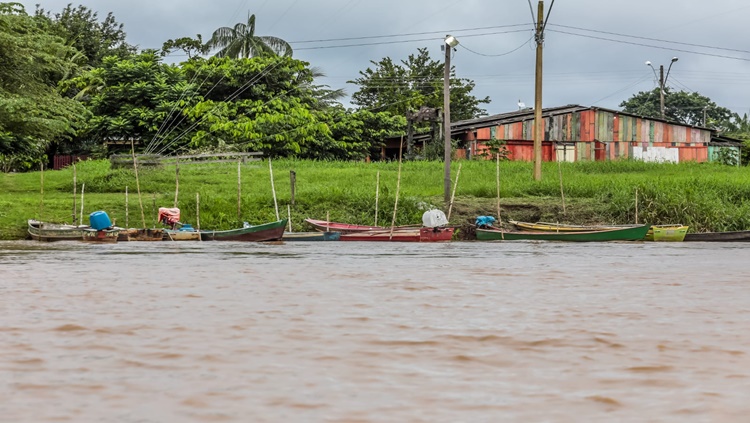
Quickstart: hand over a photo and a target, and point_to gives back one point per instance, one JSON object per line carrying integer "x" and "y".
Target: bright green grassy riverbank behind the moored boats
{"x": 704, "y": 196}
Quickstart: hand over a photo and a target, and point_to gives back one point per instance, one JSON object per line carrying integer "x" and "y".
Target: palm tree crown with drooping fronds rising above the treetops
{"x": 241, "y": 41}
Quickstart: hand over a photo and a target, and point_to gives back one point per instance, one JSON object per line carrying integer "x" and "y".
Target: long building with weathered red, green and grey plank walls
{"x": 573, "y": 133}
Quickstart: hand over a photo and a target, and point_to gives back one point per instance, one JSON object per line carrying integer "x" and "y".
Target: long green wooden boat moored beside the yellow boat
{"x": 630, "y": 233}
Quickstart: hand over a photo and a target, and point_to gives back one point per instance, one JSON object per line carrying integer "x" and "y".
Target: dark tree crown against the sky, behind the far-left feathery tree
{"x": 81, "y": 28}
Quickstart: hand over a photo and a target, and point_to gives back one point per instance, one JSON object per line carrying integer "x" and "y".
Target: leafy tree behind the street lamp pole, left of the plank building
{"x": 415, "y": 82}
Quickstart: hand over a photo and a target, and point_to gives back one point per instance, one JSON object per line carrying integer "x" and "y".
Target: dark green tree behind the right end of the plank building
{"x": 681, "y": 106}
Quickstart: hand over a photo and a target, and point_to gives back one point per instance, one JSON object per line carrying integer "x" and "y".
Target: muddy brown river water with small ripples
{"x": 367, "y": 332}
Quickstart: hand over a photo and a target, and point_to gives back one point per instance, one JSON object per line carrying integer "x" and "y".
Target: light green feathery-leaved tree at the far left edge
{"x": 33, "y": 114}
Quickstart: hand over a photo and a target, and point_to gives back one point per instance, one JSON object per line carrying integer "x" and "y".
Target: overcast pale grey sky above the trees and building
{"x": 579, "y": 69}
